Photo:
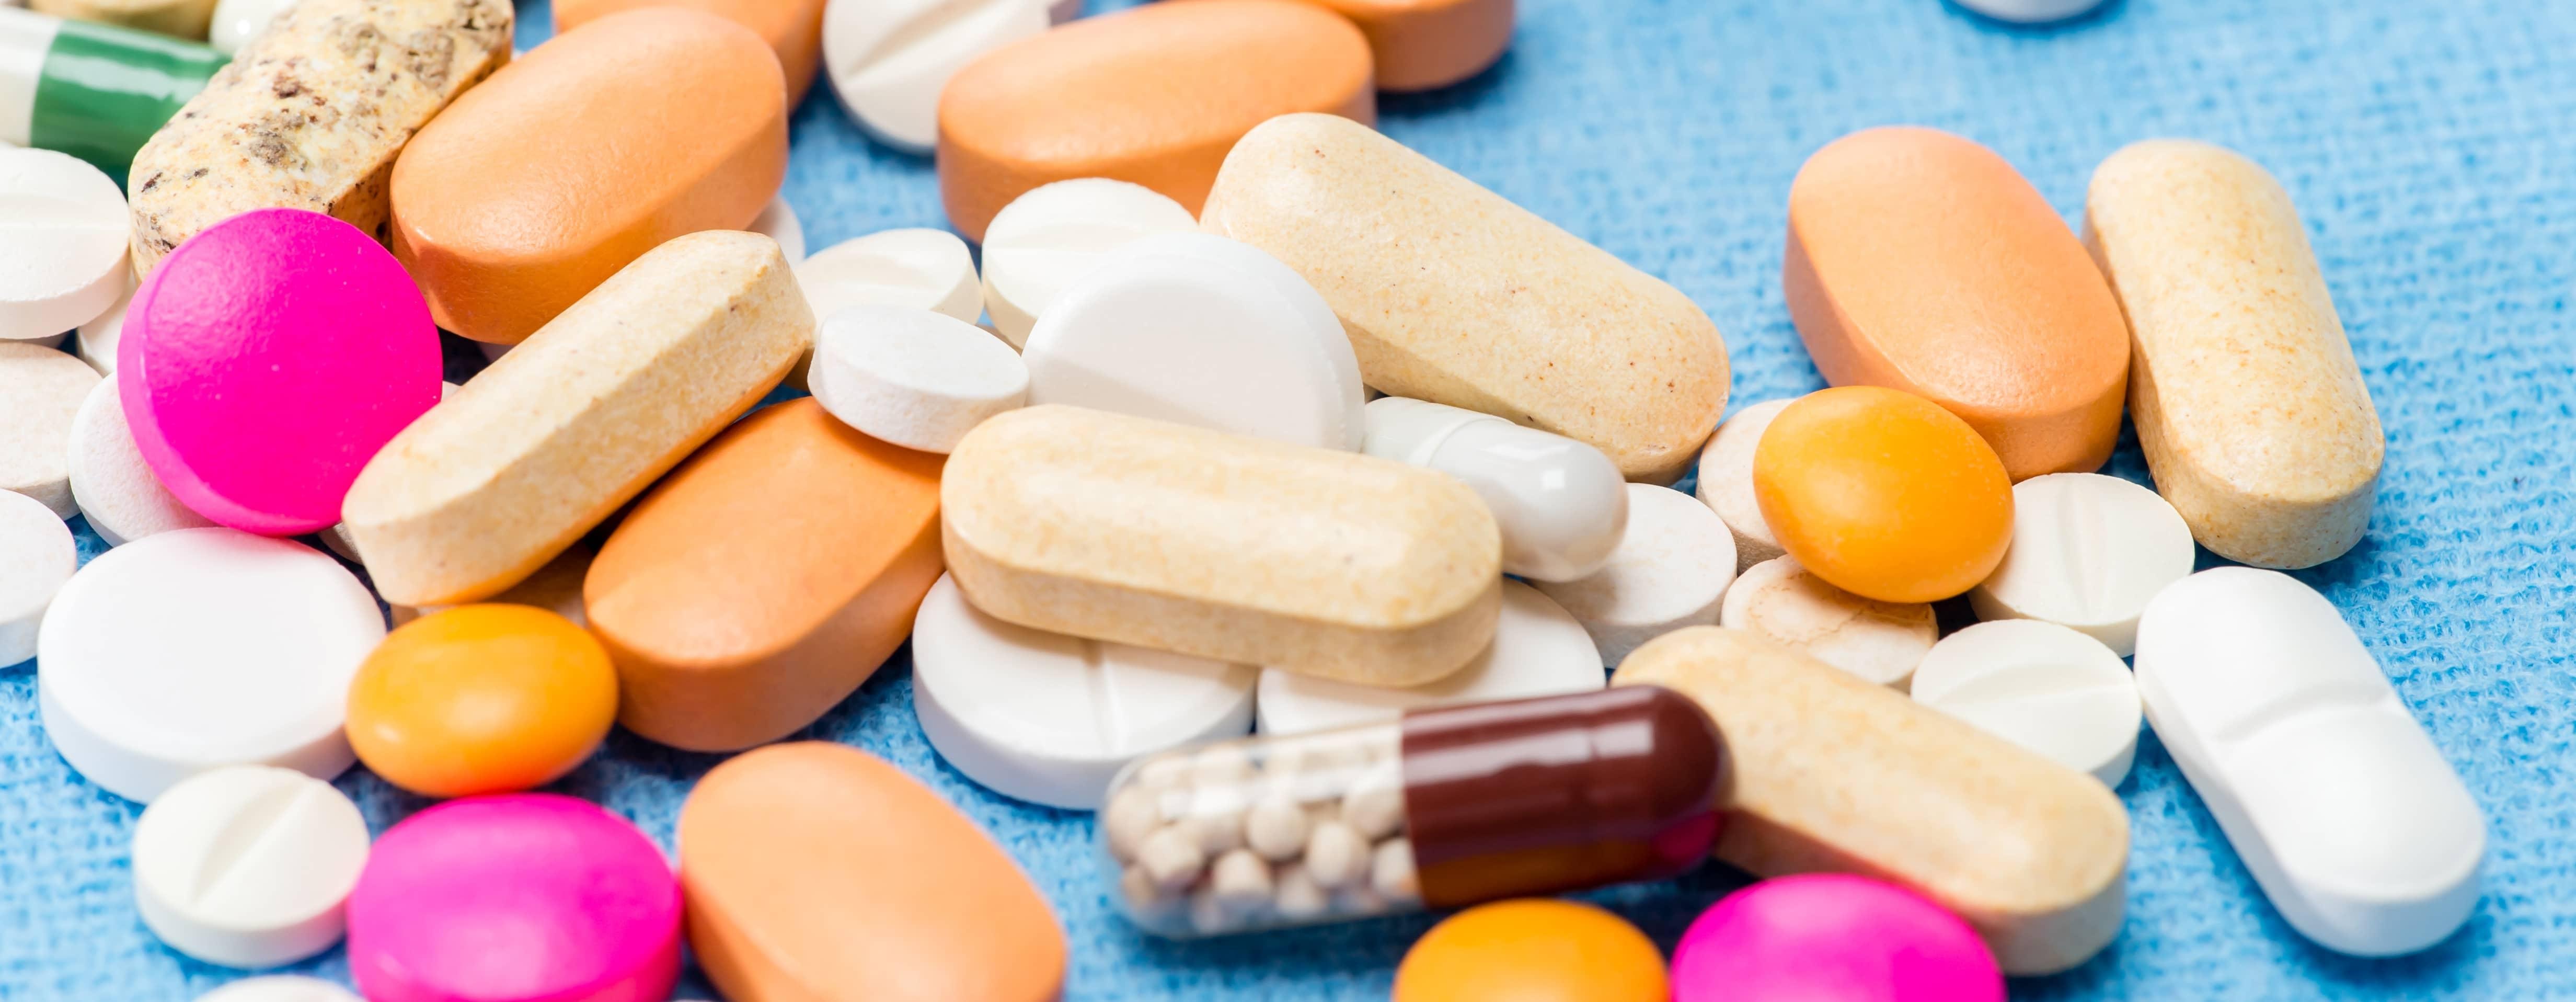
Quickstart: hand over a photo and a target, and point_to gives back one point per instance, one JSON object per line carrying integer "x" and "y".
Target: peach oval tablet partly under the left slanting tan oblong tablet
{"x": 766, "y": 578}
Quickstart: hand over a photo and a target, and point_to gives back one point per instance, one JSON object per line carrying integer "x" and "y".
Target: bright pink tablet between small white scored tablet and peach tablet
{"x": 524, "y": 898}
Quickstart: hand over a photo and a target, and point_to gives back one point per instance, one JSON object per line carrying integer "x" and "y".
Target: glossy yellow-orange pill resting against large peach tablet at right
{"x": 1884, "y": 493}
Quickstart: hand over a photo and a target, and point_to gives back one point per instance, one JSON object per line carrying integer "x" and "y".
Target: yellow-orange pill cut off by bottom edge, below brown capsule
{"x": 1531, "y": 952}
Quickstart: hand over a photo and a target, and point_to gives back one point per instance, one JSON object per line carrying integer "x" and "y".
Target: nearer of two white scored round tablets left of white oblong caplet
{"x": 2039, "y": 686}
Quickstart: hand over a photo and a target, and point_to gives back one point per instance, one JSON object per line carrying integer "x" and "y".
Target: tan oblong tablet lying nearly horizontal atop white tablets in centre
{"x": 1225, "y": 547}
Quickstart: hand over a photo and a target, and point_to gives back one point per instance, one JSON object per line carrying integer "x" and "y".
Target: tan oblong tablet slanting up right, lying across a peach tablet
{"x": 565, "y": 429}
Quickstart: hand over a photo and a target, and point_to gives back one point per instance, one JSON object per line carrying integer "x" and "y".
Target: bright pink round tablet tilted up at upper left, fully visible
{"x": 267, "y": 362}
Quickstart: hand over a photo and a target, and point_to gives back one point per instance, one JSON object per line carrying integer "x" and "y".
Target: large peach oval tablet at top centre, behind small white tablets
{"x": 1153, "y": 97}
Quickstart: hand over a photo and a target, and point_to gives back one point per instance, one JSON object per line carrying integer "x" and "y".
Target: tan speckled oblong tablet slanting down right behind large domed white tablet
{"x": 1459, "y": 298}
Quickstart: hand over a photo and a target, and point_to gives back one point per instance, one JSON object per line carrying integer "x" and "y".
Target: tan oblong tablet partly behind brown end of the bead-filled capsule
{"x": 1843, "y": 777}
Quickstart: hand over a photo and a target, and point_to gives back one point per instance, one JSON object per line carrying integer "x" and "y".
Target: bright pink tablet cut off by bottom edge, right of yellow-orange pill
{"x": 1833, "y": 939}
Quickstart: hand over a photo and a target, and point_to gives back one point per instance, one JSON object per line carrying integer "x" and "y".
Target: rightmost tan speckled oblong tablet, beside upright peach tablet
{"x": 2248, "y": 401}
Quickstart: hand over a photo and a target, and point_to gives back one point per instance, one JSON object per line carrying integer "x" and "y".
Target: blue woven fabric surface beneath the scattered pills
{"x": 2433, "y": 151}
